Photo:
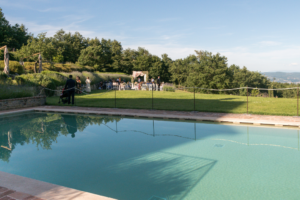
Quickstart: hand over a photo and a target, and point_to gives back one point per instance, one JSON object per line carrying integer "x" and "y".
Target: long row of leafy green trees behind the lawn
{"x": 68, "y": 52}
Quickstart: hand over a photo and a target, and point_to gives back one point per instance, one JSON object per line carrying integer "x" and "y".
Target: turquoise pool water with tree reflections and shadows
{"x": 145, "y": 159}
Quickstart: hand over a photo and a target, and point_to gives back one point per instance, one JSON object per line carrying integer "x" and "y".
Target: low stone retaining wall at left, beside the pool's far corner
{"x": 7, "y": 104}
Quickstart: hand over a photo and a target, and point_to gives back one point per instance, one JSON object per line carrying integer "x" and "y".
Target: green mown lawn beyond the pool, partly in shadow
{"x": 184, "y": 101}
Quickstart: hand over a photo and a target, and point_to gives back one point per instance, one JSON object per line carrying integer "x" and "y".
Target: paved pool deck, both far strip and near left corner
{"x": 17, "y": 187}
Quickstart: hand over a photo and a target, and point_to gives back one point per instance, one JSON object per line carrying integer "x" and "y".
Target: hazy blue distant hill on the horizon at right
{"x": 283, "y": 77}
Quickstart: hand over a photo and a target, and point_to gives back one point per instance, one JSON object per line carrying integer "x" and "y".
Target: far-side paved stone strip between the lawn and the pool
{"x": 246, "y": 119}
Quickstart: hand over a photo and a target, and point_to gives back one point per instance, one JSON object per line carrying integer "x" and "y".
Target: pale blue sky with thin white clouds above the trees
{"x": 262, "y": 35}
